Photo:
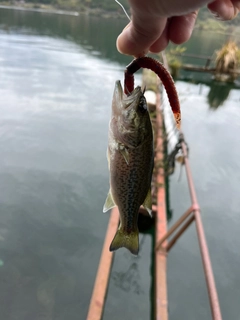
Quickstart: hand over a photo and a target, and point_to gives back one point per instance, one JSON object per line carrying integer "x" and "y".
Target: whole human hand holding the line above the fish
{"x": 156, "y": 22}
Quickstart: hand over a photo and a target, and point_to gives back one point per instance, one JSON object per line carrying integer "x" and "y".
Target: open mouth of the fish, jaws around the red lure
{"x": 131, "y": 100}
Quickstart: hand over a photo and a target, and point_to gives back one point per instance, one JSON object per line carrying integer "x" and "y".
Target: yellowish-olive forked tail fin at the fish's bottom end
{"x": 127, "y": 240}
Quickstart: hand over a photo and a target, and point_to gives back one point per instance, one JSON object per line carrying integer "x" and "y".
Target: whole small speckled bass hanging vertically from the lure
{"x": 130, "y": 160}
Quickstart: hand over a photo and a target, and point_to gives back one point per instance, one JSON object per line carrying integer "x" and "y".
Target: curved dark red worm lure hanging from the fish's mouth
{"x": 164, "y": 76}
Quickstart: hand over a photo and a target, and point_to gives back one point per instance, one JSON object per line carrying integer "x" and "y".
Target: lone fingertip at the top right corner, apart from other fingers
{"x": 225, "y": 9}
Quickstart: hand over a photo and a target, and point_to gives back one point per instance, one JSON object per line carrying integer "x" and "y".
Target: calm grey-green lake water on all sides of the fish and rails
{"x": 57, "y": 75}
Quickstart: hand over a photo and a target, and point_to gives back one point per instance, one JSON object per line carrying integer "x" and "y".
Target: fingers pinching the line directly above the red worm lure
{"x": 149, "y": 29}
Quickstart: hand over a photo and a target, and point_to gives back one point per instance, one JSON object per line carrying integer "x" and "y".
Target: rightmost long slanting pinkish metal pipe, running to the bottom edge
{"x": 212, "y": 292}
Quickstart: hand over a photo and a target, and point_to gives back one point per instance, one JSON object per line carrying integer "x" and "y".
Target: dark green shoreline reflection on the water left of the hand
{"x": 94, "y": 34}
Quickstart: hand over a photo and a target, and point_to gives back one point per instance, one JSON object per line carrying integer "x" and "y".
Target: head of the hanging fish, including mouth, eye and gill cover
{"x": 130, "y": 112}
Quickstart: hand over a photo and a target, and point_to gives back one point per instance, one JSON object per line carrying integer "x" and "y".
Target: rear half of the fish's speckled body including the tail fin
{"x": 130, "y": 183}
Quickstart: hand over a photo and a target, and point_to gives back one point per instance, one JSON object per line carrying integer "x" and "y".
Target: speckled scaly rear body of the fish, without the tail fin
{"x": 130, "y": 182}
